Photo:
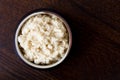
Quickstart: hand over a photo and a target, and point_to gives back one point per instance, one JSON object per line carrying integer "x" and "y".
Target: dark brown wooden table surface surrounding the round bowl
{"x": 95, "y": 53}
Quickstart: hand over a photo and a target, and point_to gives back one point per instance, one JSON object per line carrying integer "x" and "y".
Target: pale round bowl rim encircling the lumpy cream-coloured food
{"x": 19, "y": 51}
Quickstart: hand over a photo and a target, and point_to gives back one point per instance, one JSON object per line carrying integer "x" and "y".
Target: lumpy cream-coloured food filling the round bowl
{"x": 44, "y": 39}
